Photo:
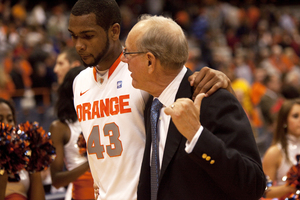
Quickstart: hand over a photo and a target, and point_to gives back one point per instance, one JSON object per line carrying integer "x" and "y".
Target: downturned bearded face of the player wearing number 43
{"x": 90, "y": 40}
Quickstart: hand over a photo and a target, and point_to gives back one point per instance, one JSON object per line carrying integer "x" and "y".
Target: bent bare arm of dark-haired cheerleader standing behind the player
{"x": 60, "y": 178}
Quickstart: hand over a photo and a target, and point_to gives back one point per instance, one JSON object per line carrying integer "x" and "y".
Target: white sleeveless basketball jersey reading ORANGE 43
{"x": 110, "y": 112}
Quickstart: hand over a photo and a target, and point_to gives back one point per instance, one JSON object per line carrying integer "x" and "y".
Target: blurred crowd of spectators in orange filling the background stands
{"x": 256, "y": 45}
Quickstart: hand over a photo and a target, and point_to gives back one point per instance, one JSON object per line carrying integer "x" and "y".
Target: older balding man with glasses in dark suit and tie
{"x": 207, "y": 156}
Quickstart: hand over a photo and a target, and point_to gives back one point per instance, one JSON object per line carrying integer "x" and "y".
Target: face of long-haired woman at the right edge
{"x": 293, "y": 121}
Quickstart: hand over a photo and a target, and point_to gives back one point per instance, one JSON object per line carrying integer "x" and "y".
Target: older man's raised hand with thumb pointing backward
{"x": 185, "y": 115}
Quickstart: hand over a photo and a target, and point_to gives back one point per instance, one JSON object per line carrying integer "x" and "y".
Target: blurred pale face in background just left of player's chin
{"x": 61, "y": 67}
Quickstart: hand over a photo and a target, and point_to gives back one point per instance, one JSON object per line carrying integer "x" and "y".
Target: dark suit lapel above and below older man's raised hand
{"x": 174, "y": 137}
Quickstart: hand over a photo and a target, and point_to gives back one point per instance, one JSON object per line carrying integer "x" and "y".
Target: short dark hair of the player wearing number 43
{"x": 107, "y": 11}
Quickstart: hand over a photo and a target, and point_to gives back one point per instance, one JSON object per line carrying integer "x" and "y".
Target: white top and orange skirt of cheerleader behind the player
{"x": 82, "y": 188}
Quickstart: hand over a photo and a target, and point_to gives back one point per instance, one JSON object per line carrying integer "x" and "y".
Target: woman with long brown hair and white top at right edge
{"x": 281, "y": 156}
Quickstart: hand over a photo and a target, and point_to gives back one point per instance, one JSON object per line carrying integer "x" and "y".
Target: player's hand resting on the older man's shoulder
{"x": 208, "y": 80}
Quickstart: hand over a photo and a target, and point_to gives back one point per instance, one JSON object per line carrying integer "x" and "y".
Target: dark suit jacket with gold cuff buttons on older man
{"x": 224, "y": 164}
